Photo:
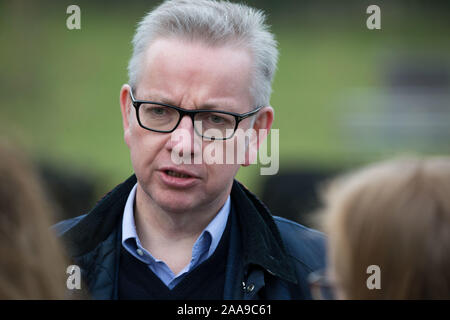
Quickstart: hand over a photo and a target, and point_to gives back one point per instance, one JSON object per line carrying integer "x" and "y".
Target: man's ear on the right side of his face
{"x": 261, "y": 127}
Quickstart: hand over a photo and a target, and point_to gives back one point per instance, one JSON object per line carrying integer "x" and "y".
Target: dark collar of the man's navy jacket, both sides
{"x": 261, "y": 240}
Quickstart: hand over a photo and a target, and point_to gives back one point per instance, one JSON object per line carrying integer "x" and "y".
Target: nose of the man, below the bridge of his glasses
{"x": 184, "y": 141}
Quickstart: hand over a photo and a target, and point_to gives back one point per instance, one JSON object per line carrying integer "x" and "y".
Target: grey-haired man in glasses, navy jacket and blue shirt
{"x": 182, "y": 227}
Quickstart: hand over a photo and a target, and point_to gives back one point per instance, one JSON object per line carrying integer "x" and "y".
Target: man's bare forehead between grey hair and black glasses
{"x": 195, "y": 73}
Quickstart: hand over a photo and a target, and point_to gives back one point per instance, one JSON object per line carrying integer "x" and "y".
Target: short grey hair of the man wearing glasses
{"x": 215, "y": 23}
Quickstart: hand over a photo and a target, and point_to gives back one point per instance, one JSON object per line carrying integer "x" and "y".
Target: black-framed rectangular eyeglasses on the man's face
{"x": 165, "y": 118}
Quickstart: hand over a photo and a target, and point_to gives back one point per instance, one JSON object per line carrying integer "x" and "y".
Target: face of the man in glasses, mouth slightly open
{"x": 191, "y": 76}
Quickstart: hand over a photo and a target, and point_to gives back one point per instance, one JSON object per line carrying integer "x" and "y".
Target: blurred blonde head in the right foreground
{"x": 395, "y": 215}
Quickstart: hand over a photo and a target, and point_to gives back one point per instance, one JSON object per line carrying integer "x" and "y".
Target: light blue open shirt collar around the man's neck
{"x": 203, "y": 248}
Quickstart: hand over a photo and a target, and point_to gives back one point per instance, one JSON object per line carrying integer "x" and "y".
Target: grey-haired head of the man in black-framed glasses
{"x": 196, "y": 55}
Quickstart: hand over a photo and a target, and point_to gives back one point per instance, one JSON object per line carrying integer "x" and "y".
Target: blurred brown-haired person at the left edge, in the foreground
{"x": 32, "y": 262}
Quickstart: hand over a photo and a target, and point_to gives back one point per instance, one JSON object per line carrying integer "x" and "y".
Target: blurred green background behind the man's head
{"x": 60, "y": 88}
